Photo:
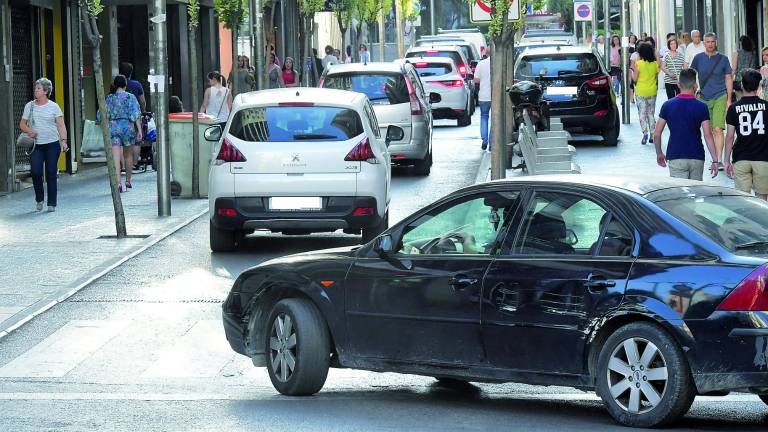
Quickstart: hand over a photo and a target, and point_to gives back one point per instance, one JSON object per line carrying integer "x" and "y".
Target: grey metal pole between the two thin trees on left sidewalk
{"x": 158, "y": 82}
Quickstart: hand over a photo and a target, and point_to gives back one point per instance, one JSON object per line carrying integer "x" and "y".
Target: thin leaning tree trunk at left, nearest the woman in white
{"x": 117, "y": 203}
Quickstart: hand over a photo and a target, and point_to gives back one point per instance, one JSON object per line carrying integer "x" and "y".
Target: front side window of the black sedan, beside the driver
{"x": 466, "y": 226}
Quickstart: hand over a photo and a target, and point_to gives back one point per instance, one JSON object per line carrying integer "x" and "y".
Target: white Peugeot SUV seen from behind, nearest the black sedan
{"x": 298, "y": 161}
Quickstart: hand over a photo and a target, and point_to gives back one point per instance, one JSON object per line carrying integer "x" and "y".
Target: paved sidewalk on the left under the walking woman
{"x": 47, "y": 257}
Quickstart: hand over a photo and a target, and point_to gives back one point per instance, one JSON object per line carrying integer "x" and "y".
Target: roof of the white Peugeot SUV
{"x": 331, "y": 97}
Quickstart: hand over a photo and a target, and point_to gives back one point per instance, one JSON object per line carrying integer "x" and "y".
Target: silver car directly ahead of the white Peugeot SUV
{"x": 399, "y": 99}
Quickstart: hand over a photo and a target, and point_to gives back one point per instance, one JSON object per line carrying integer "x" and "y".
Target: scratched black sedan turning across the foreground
{"x": 648, "y": 292}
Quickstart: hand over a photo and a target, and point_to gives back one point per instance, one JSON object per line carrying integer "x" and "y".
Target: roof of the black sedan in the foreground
{"x": 635, "y": 184}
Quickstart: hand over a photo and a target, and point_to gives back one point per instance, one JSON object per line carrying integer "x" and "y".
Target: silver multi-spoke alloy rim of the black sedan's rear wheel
{"x": 637, "y": 375}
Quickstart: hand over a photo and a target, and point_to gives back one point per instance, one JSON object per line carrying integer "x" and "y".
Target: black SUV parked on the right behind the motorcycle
{"x": 576, "y": 86}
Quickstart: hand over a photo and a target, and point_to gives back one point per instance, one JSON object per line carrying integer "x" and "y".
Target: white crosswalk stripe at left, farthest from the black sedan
{"x": 60, "y": 352}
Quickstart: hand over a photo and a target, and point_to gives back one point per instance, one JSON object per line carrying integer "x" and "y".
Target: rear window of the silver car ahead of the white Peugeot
{"x": 380, "y": 88}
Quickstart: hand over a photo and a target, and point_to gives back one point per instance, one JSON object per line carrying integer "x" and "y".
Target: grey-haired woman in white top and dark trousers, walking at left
{"x": 46, "y": 137}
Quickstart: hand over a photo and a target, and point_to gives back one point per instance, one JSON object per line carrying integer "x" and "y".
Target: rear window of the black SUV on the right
{"x": 557, "y": 65}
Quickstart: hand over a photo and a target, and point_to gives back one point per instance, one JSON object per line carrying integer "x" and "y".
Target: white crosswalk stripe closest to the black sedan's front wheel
{"x": 202, "y": 352}
